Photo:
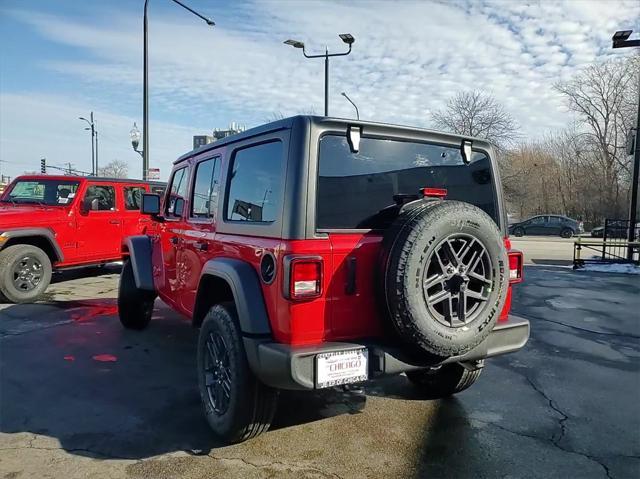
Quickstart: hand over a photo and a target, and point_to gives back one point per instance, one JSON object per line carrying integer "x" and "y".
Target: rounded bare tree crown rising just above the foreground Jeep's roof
{"x": 474, "y": 113}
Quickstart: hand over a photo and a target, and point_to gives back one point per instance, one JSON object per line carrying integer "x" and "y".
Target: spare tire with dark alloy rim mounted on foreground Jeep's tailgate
{"x": 445, "y": 276}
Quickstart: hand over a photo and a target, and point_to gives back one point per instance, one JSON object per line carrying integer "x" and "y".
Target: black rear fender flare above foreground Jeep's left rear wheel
{"x": 247, "y": 293}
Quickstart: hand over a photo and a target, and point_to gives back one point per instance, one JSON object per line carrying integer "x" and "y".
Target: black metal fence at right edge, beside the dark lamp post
{"x": 614, "y": 247}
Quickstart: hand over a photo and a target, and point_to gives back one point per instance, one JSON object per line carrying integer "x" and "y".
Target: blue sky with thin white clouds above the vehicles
{"x": 62, "y": 59}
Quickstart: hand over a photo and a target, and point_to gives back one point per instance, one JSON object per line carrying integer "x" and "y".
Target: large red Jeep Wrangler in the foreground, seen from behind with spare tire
{"x": 316, "y": 252}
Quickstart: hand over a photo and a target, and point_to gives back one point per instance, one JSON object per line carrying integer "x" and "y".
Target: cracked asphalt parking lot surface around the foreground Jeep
{"x": 81, "y": 397}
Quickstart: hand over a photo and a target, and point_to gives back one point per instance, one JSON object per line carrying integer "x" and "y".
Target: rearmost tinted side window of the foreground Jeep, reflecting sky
{"x": 255, "y": 184}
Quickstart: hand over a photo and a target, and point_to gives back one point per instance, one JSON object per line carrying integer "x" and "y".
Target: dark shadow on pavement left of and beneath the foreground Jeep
{"x": 72, "y": 373}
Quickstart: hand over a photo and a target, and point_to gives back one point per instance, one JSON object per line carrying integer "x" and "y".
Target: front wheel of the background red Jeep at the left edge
{"x": 25, "y": 273}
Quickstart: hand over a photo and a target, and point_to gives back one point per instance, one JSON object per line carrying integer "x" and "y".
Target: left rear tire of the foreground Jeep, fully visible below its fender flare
{"x": 248, "y": 408}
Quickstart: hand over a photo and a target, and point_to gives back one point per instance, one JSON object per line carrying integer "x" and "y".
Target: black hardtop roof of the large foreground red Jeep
{"x": 320, "y": 121}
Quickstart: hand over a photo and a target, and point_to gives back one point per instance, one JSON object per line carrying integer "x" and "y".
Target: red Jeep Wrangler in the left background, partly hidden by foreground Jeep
{"x": 44, "y": 225}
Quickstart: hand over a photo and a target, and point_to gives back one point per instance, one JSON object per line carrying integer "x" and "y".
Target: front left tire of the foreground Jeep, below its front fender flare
{"x": 135, "y": 306}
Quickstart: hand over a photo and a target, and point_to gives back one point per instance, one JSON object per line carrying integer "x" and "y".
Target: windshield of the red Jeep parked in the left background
{"x": 43, "y": 192}
